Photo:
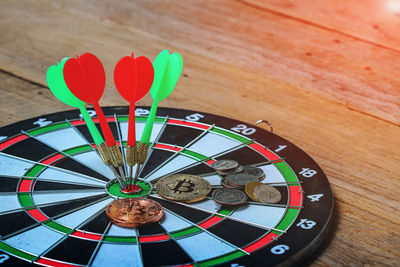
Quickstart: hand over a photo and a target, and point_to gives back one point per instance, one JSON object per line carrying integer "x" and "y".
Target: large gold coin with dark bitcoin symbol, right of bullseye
{"x": 183, "y": 187}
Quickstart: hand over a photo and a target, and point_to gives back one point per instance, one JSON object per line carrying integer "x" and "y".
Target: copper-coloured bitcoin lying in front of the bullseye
{"x": 134, "y": 212}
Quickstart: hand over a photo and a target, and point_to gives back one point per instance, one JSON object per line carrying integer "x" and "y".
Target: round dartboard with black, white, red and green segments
{"x": 54, "y": 189}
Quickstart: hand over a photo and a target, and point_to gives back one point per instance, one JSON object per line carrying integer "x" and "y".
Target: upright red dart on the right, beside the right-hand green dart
{"x": 133, "y": 79}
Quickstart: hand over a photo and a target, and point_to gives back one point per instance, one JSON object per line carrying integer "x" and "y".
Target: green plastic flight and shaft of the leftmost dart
{"x": 55, "y": 80}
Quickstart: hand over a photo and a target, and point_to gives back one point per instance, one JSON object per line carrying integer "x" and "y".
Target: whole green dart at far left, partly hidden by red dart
{"x": 58, "y": 87}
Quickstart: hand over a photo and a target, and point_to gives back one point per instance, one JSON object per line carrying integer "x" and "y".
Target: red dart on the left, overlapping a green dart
{"x": 86, "y": 79}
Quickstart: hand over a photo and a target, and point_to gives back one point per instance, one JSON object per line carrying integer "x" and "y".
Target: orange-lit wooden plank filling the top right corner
{"x": 371, "y": 21}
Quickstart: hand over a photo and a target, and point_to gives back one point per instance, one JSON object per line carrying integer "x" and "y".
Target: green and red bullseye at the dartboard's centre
{"x": 142, "y": 188}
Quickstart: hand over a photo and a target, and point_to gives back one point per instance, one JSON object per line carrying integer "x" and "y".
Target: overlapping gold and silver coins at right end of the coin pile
{"x": 260, "y": 192}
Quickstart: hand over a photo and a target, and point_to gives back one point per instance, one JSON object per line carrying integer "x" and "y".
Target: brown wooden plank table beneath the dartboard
{"x": 325, "y": 73}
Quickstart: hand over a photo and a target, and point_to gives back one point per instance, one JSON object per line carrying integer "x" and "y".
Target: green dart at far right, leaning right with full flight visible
{"x": 167, "y": 69}
